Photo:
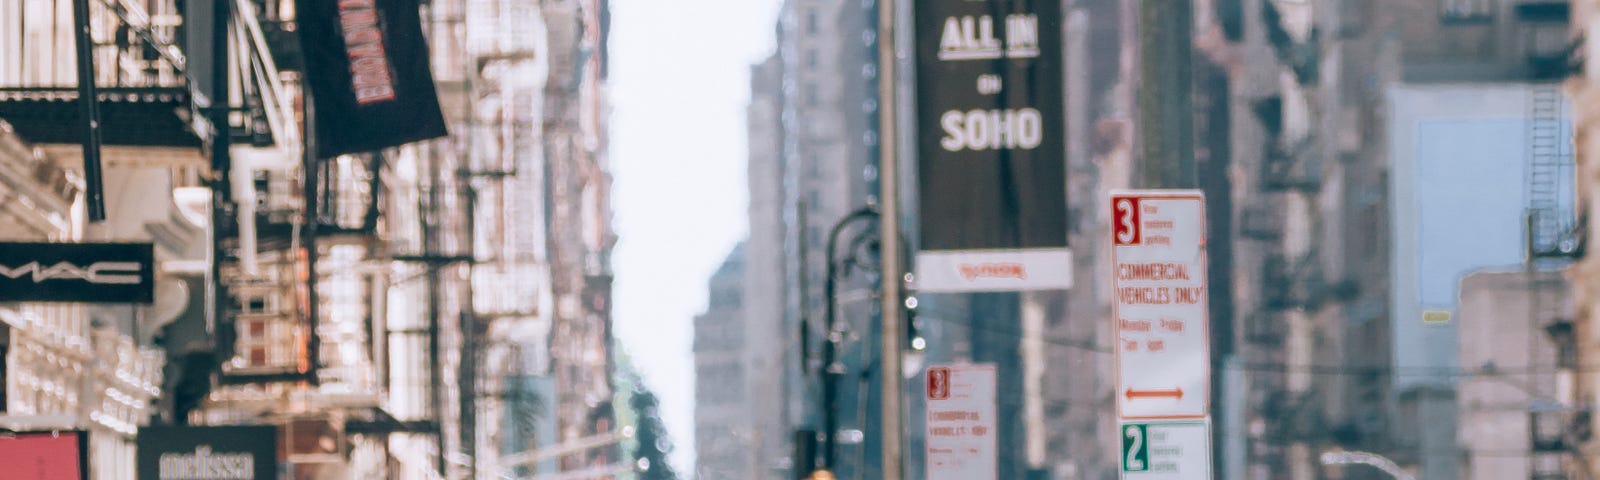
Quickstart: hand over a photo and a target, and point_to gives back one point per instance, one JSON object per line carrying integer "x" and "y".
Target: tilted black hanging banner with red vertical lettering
{"x": 367, "y": 68}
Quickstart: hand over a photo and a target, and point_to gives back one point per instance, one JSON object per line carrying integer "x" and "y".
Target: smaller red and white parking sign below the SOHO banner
{"x": 961, "y": 428}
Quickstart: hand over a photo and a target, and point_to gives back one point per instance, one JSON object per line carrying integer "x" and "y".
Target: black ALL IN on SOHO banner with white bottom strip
{"x": 991, "y": 146}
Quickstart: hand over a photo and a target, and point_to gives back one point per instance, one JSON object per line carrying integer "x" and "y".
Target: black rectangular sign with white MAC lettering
{"x": 78, "y": 273}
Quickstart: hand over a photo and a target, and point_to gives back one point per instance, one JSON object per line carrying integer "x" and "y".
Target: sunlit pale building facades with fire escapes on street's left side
{"x": 433, "y": 310}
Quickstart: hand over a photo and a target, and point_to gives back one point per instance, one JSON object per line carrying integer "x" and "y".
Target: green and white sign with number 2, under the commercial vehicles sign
{"x": 1172, "y": 450}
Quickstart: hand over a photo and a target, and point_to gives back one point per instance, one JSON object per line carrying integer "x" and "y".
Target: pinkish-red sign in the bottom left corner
{"x": 46, "y": 457}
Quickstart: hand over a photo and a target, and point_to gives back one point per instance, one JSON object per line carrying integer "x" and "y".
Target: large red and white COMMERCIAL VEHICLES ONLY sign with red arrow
{"x": 1159, "y": 310}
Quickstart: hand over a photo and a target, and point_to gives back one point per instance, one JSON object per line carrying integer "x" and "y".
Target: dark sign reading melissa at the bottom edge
{"x": 209, "y": 454}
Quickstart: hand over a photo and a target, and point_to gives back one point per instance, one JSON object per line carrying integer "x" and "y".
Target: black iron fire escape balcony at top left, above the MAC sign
{"x": 151, "y": 94}
